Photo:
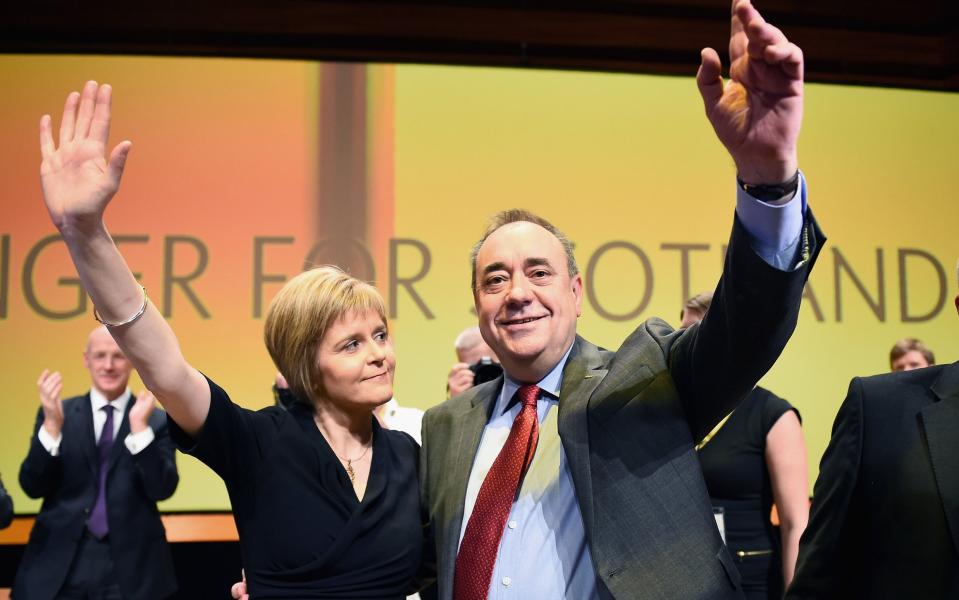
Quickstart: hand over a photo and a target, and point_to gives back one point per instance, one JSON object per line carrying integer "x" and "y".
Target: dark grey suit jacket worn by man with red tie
{"x": 628, "y": 421}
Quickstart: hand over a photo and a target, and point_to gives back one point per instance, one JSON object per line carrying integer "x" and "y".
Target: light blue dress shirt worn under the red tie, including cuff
{"x": 543, "y": 552}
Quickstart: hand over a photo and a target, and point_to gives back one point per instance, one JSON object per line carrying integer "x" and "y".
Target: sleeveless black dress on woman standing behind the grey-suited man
{"x": 734, "y": 466}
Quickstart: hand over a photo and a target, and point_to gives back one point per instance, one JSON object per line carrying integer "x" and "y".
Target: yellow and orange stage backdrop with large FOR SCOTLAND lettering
{"x": 242, "y": 171}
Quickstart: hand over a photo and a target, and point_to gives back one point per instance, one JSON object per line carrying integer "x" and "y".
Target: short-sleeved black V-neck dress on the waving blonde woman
{"x": 303, "y": 532}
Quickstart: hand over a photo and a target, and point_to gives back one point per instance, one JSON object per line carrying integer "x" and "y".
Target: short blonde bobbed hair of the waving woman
{"x": 300, "y": 315}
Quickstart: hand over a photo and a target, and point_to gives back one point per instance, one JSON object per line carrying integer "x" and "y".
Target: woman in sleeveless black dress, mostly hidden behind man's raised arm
{"x": 752, "y": 460}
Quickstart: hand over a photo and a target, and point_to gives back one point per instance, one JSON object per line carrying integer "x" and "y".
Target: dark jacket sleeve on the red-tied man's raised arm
{"x": 754, "y": 312}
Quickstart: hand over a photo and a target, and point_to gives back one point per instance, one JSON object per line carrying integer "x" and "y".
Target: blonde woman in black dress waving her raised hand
{"x": 326, "y": 502}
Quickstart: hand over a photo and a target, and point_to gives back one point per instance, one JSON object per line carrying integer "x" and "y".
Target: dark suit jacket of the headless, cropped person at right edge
{"x": 885, "y": 513}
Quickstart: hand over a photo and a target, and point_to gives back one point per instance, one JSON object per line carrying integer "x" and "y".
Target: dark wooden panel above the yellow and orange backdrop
{"x": 879, "y": 42}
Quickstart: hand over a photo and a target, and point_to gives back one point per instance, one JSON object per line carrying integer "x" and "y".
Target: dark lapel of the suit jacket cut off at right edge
{"x": 941, "y": 423}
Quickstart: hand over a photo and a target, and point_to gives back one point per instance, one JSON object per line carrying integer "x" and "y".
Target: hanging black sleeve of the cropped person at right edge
{"x": 828, "y": 564}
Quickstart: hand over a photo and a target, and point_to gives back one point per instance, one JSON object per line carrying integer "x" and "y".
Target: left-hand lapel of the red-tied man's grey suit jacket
{"x": 469, "y": 423}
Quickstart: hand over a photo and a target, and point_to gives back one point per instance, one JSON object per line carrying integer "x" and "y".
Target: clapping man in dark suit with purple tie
{"x": 98, "y": 533}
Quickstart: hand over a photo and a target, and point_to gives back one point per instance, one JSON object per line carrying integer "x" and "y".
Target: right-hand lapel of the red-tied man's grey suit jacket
{"x": 580, "y": 378}
